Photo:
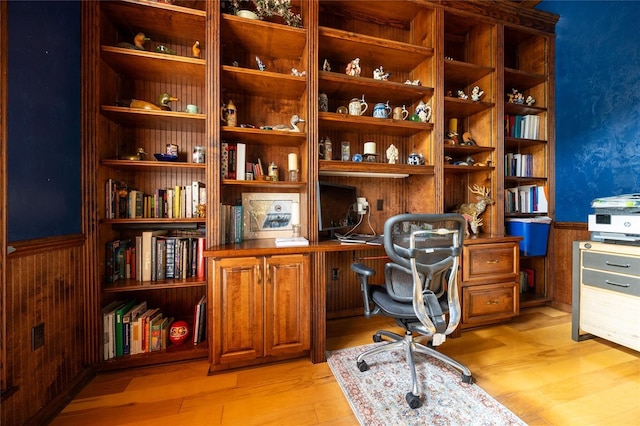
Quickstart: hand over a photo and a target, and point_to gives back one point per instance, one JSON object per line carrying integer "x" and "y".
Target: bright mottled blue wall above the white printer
{"x": 597, "y": 103}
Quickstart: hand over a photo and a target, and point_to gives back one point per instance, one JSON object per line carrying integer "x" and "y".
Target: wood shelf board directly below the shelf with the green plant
{"x": 262, "y": 83}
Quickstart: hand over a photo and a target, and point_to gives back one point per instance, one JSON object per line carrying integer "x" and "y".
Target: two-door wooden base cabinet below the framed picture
{"x": 262, "y": 309}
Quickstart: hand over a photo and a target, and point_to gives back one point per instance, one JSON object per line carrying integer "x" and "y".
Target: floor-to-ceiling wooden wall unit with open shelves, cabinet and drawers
{"x": 271, "y": 72}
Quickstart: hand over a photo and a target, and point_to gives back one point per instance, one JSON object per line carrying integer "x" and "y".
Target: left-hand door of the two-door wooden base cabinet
{"x": 237, "y": 309}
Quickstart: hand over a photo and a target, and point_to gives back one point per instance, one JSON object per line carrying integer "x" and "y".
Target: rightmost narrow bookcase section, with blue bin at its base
{"x": 528, "y": 69}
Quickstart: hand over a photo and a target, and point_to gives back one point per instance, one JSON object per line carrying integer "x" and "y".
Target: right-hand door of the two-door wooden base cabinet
{"x": 287, "y": 317}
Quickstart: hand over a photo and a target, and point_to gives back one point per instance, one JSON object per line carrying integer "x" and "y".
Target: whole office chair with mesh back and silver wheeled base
{"x": 420, "y": 289}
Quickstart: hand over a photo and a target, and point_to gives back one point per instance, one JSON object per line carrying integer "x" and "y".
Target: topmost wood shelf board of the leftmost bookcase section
{"x": 170, "y": 23}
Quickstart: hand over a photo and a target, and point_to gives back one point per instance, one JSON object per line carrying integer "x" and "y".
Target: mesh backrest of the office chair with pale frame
{"x": 424, "y": 250}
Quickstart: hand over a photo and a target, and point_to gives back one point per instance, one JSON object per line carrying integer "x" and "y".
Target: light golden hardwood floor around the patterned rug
{"x": 530, "y": 365}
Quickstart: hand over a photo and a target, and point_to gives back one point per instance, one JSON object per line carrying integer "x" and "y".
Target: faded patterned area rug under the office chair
{"x": 377, "y": 396}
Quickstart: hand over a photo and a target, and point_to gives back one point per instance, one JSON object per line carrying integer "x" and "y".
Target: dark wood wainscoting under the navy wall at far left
{"x": 44, "y": 285}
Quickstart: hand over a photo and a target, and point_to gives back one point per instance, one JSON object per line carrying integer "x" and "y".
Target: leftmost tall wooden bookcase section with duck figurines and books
{"x": 124, "y": 72}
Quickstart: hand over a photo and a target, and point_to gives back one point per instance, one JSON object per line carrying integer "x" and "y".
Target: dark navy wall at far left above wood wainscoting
{"x": 44, "y": 193}
